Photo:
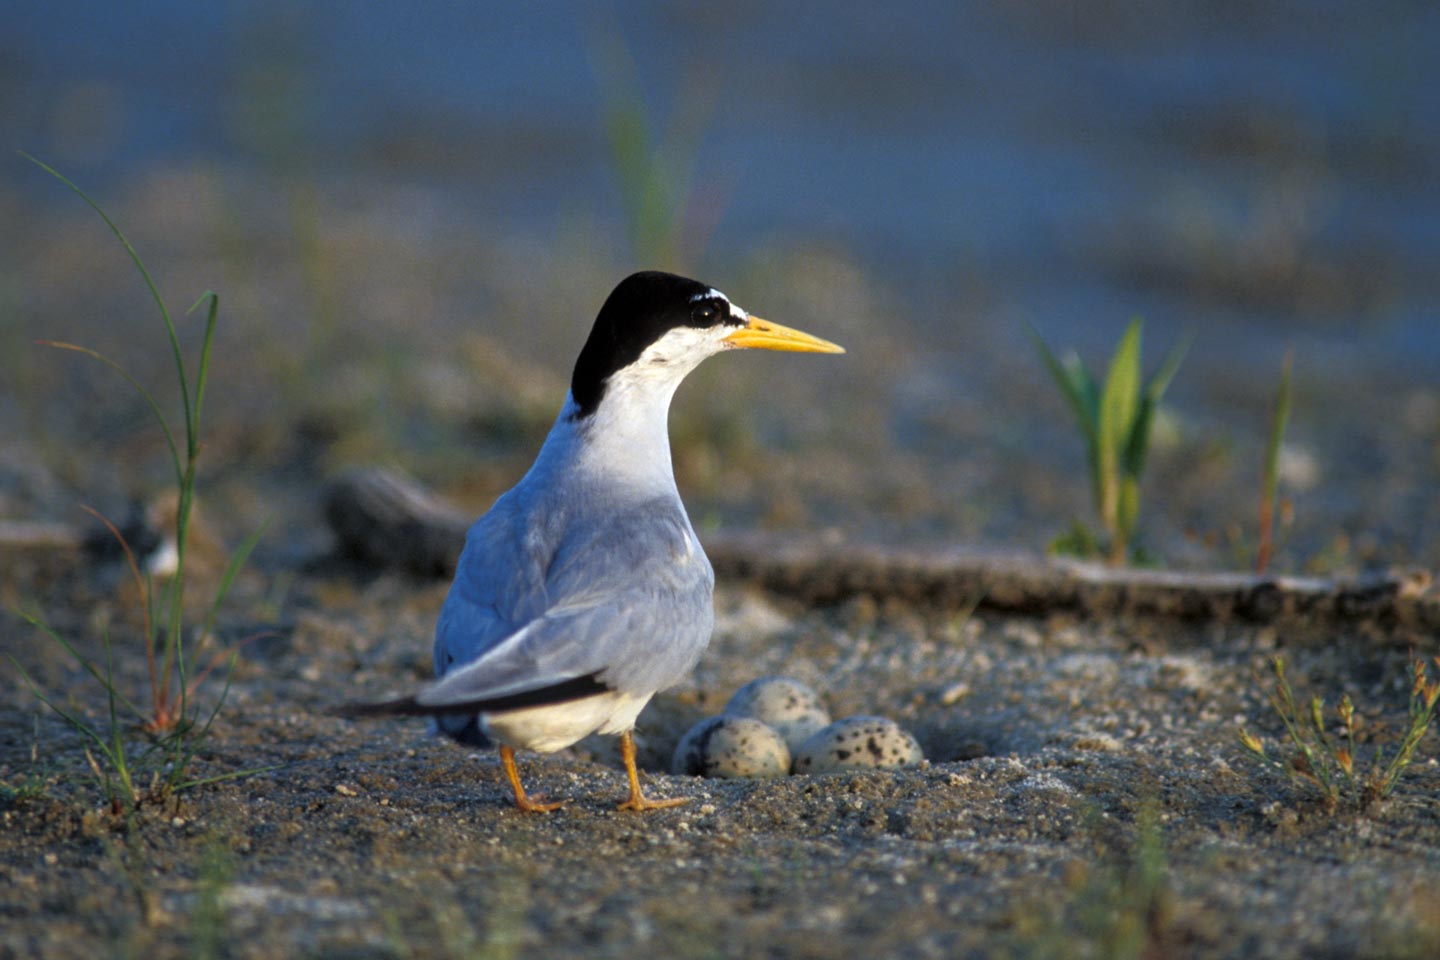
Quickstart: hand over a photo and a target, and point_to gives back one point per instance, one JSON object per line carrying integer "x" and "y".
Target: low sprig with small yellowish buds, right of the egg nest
{"x": 1326, "y": 759}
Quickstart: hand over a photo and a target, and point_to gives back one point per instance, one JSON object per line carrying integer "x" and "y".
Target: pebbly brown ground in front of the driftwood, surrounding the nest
{"x": 1085, "y": 795}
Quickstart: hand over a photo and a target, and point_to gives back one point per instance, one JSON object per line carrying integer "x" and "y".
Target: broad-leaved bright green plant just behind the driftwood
{"x": 1115, "y": 421}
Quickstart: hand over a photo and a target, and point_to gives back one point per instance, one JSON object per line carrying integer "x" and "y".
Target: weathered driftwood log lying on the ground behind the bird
{"x": 384, "y": 519}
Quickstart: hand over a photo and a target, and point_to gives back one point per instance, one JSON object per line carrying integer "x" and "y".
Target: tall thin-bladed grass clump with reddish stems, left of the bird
{"x": 174, "y": 720}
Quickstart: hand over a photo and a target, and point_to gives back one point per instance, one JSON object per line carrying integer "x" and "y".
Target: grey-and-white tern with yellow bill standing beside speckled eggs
{"x": 584, "y": 591}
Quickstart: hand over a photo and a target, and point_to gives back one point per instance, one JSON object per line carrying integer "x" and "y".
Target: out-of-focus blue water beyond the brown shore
{"x": 1043, "y": 149}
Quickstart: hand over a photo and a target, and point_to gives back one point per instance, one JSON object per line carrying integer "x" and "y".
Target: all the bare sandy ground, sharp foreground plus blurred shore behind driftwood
{"x": 1085, "y": 795}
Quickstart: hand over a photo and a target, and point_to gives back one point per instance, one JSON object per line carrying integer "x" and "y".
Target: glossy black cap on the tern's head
{"x": 642, "y": 310}
